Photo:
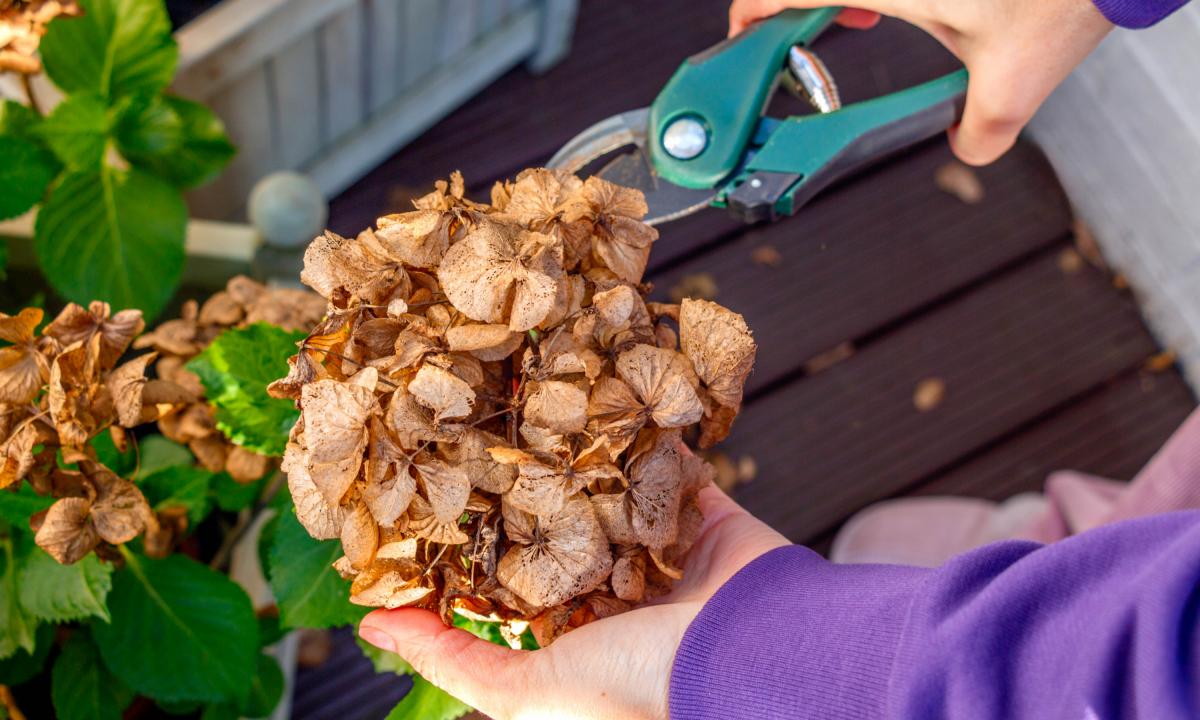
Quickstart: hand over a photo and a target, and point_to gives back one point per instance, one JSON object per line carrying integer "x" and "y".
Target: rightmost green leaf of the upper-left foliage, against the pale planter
{"x": 203, "y": 152}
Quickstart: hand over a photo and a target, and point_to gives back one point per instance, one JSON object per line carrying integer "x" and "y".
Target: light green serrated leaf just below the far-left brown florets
{"x": 59, "y": 593}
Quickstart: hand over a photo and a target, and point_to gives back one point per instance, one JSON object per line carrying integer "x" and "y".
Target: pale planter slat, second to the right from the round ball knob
{"x": 344, "y": 103}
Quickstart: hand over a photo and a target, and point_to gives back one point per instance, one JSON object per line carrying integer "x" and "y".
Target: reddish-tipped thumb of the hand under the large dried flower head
{"x": 476, "y": 671}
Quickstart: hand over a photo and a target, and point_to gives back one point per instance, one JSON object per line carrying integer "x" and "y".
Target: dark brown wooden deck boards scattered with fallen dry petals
{"x": 1043, "y": 362}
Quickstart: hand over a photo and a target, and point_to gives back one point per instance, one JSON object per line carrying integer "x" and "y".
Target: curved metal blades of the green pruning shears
{"x": 667, "y": 201}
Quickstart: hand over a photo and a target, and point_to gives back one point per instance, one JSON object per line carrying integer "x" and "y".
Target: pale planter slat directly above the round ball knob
{"x": 296, "y": 77}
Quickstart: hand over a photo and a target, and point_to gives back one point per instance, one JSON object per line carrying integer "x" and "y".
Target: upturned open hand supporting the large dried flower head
{"x": 616, "y": 668}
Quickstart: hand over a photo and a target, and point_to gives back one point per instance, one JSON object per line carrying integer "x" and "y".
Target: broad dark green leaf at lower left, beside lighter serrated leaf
{"x": 181, "y": 632}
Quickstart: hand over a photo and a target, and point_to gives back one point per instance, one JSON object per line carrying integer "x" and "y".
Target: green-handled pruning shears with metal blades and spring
{"x": 705, "y": 141}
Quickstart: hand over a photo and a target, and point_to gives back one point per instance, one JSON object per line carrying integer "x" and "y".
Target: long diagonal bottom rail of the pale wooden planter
{"x": 427, "y": 103}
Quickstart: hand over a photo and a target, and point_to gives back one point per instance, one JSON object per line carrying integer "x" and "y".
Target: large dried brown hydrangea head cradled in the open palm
{"x": 493, "y": 417}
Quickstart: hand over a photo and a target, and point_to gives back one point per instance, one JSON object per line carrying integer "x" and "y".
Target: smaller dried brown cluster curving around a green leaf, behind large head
{"x": 243, "y": 303}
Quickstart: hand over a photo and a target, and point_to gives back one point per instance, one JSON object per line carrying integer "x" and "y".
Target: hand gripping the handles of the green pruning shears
{"x": 1017, "y": 51}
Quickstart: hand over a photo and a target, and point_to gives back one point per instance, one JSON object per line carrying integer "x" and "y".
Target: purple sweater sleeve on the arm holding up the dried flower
{"x": 1102, "y": 626}
